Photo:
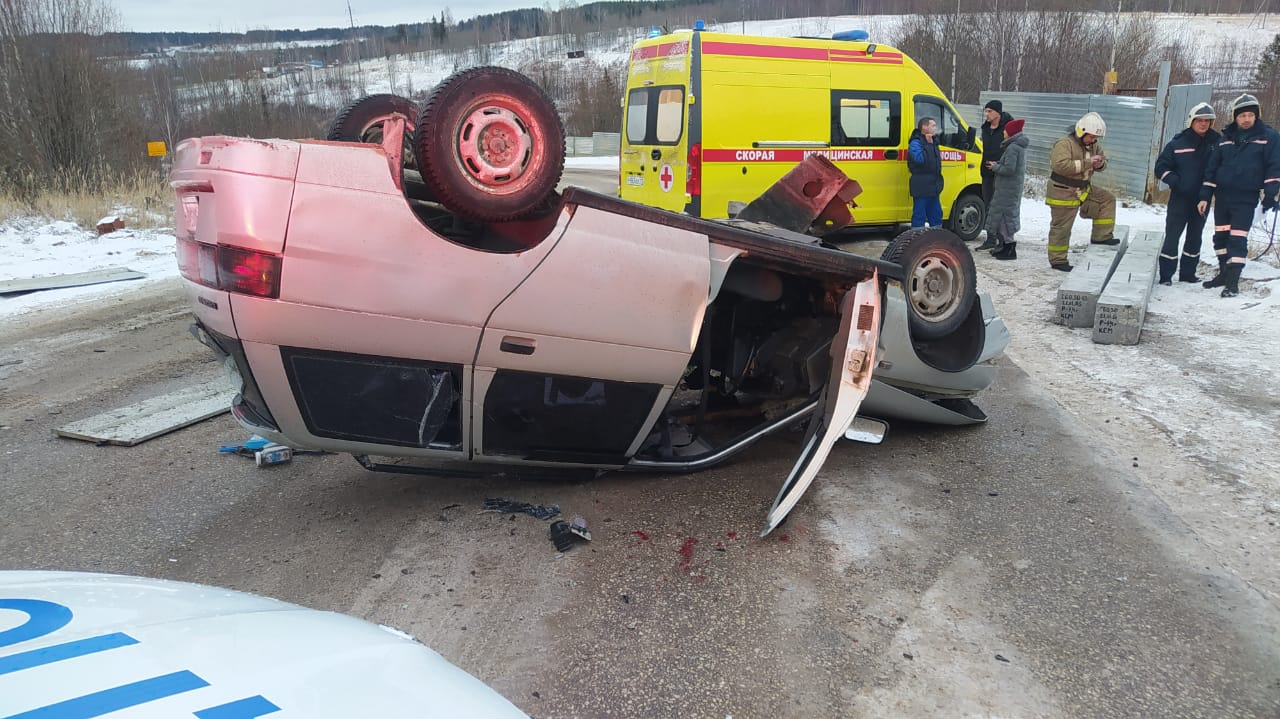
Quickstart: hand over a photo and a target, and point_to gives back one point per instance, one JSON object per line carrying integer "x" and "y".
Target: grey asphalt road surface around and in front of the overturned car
{"x": 1013, "y": 570}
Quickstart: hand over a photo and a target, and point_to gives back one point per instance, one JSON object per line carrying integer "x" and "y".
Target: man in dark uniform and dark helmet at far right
{"x": 1247, "y": 162}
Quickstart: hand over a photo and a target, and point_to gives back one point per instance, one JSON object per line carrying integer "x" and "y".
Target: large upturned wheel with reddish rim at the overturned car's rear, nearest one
{"x": 492, "y": 145}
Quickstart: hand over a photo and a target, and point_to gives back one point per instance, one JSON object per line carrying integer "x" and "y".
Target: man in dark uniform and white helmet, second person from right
{"x": 1182, "y": 167}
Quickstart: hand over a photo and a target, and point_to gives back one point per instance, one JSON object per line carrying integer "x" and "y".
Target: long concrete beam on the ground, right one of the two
{"x": 1123, "y": 305}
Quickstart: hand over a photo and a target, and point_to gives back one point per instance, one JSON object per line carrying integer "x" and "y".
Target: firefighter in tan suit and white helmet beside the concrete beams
{"x": 1073, "y": 162}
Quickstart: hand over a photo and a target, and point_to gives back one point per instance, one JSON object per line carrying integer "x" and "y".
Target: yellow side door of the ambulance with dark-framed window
{"x": 868, "y": 144}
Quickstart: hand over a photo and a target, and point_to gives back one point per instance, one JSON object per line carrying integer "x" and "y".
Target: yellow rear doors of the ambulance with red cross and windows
{"x": 653, "y": 164}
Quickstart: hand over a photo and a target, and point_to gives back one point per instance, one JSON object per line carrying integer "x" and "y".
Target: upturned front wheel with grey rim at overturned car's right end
{"x": 940, "y": 281}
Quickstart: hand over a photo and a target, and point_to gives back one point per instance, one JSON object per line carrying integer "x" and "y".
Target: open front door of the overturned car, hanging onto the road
{"x": 853, "y": 356}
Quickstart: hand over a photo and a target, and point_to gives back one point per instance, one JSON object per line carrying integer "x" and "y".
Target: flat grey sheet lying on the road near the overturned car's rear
{"x": 154, "y": 418}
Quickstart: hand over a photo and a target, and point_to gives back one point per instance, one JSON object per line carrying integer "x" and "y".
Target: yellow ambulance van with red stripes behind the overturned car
{"x": 712, "y": 118}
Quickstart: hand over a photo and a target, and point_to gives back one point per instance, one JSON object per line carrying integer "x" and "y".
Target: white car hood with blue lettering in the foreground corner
{"x": 85, "y": 645}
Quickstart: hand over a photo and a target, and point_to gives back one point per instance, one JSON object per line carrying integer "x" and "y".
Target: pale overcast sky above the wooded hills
{"x": 240, "y": 16}
